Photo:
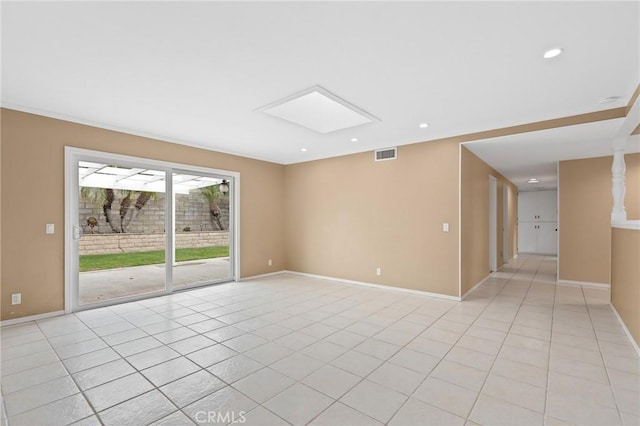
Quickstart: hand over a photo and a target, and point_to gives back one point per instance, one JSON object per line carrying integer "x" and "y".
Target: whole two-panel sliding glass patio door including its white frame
{"x": 139, "y": 228}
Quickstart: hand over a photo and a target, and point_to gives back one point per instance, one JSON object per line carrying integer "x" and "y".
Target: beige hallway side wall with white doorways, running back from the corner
{"x": 474, "y": 198}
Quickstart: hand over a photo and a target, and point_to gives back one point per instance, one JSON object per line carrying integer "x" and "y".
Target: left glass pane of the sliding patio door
{"x": 122, "y": 221}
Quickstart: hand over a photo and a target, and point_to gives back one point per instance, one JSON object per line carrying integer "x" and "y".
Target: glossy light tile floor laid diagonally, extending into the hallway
{"x": 294, "y": 350}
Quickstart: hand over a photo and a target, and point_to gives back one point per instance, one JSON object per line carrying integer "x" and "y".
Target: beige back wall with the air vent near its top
{"x": 347, "y": 216}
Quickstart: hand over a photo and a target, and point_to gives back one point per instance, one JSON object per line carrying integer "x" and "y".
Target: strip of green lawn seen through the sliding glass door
{"x": 93, "y": 262}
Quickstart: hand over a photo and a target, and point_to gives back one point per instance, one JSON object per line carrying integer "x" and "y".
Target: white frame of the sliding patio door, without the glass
{"x": 73, "y": 156}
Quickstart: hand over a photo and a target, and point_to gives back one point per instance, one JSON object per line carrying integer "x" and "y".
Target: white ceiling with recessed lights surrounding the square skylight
{"x": 195, "y": 72}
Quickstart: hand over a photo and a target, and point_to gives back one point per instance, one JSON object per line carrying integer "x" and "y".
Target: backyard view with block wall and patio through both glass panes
{"x": 123, "y": 214}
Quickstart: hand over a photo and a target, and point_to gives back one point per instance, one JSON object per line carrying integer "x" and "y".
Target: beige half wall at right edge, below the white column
{"x": 625, "y": 277}
